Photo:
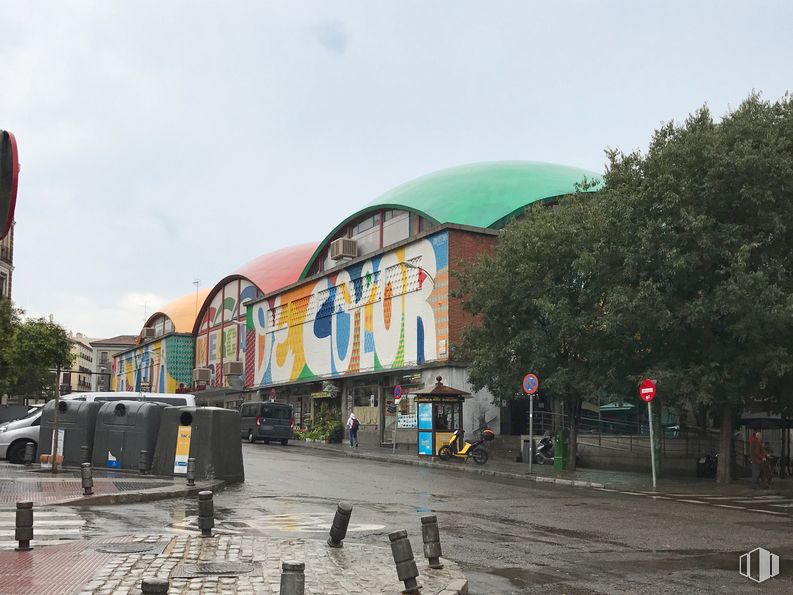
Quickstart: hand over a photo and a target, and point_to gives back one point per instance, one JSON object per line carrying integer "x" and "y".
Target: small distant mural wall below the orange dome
{"x": 164, "y": 366}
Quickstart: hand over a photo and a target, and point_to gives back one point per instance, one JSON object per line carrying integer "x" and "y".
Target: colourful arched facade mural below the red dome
{"x": 220, "y": 336}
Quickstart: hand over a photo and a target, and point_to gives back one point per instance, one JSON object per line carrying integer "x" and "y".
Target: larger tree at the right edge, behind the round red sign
{"x": 709, "y": 208}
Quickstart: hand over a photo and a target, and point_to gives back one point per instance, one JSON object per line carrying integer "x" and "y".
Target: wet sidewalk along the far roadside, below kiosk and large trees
{"x": 581, "y": 477}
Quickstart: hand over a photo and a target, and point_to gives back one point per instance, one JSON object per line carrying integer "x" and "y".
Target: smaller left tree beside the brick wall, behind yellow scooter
{"x": 538, "y": 305}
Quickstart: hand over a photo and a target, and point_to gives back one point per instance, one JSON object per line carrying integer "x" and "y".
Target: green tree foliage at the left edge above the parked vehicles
{"x": 30, "y": 349}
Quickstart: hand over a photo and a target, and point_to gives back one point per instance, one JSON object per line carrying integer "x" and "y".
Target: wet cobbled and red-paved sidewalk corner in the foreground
{"x": 218, "y": 565}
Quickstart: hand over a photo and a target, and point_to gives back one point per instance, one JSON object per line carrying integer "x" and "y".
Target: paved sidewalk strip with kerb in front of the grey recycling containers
{"x": 19, "y": 484}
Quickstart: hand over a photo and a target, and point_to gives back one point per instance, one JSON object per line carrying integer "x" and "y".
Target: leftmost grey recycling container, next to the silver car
{"x": 76, "y": 422}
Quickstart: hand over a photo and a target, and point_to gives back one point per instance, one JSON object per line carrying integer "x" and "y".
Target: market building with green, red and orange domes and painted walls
{"x": 337, "y": 326}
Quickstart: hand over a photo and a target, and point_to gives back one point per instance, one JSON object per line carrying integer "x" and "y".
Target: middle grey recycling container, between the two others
{"x": 123, "y": 429}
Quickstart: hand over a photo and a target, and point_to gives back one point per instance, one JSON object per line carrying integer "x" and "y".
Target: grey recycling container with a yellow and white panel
{"x": 211, "y": 435}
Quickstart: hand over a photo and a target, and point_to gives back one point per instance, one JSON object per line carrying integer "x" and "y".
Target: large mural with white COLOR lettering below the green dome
{"x": 390, "y": 311}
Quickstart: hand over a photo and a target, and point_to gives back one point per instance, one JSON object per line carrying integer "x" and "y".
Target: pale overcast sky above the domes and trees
{"x": 164, "y": 142}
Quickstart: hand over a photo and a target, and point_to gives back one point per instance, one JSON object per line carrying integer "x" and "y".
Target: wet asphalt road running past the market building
{"x": 509, "y": 536}
